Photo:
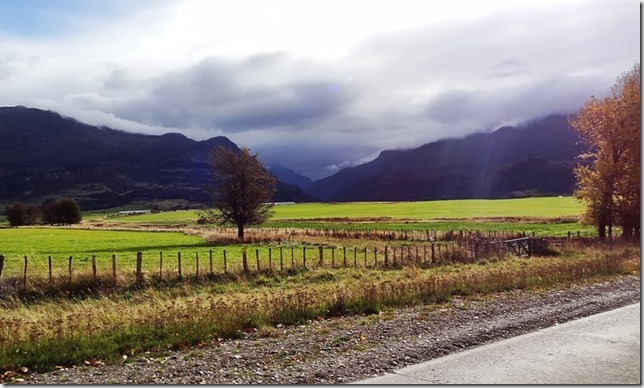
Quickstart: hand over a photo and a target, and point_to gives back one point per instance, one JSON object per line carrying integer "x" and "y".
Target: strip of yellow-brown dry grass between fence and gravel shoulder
{"x": 52, "y": 333}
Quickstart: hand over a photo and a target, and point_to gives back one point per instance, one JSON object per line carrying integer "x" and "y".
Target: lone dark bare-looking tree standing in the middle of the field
{"x": 243, "y": 188}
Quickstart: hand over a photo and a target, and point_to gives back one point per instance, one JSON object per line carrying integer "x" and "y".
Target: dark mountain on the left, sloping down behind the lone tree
{"x": 46, "y": 155}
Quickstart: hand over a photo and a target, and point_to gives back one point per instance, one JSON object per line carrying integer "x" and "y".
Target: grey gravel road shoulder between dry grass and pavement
{"x": 347, "y": 349}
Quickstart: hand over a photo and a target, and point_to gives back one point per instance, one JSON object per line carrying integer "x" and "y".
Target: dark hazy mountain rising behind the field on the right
{"x": 534, "y": 159}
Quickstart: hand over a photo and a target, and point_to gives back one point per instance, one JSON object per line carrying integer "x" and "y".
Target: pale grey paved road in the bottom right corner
{"x": 600, "y": 349}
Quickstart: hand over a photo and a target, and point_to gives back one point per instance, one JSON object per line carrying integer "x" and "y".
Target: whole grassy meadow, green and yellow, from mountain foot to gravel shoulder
{"x": 69, "y": 319}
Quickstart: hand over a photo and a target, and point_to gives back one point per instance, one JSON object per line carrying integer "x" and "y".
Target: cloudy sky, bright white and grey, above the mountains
{"x": 315, "y": 85}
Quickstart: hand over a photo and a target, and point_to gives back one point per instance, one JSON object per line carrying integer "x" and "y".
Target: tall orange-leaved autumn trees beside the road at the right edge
{"x": 609, "y": 180}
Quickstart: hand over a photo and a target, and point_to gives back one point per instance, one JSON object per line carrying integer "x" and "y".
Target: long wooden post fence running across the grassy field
{"x": 427, "y": 254}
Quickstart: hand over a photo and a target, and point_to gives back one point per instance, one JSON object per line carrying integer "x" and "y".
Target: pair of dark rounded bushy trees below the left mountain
{"x": 63, "y": 211}
